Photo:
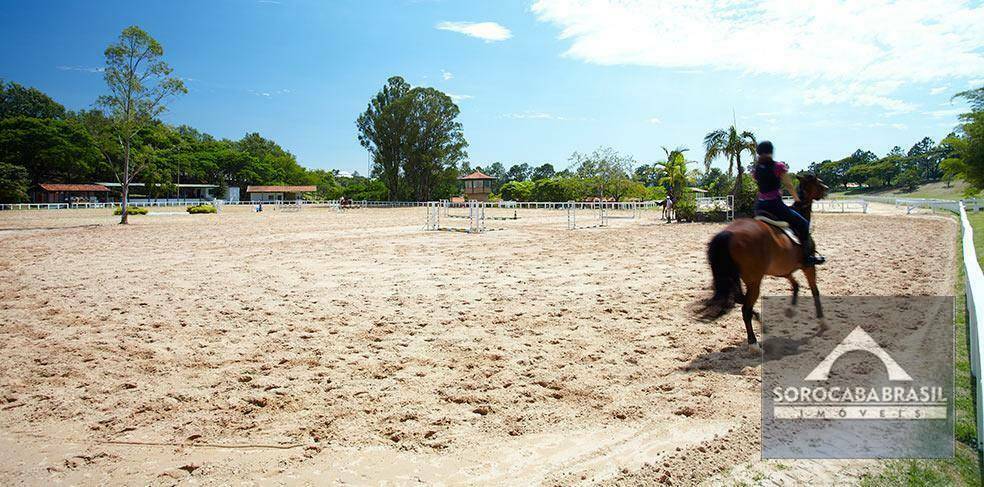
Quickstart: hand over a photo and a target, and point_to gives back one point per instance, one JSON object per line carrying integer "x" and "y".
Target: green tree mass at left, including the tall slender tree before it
{"x": 121, "y": 139}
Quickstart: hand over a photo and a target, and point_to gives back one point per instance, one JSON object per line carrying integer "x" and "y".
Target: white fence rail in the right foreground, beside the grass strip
{"x": 975, "y": 316}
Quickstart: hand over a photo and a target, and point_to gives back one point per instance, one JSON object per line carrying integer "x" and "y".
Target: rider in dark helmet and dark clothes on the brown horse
{"x": 771, "y": 176}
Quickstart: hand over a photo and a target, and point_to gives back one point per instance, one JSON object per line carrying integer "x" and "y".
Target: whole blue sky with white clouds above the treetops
{"x": 535, "y": 80}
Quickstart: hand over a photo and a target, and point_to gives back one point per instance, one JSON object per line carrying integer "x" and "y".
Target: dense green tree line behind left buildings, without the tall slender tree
{"x": 41, "y": 141}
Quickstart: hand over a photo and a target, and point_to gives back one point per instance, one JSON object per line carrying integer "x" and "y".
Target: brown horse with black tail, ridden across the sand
{"x": 750, "y": 250}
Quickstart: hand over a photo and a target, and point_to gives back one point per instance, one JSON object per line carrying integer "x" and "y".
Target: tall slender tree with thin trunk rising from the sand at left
{"x": 140, "y": 83}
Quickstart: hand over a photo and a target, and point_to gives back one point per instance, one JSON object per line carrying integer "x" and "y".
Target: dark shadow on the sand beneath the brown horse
{"x": 736, "y": 360}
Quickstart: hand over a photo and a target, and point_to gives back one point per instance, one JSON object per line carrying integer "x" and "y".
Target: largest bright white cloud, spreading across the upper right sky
{"x": 829, "y": 45}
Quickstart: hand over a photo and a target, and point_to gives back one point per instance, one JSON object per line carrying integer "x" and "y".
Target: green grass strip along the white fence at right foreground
{"x": 965, "y": 467}
